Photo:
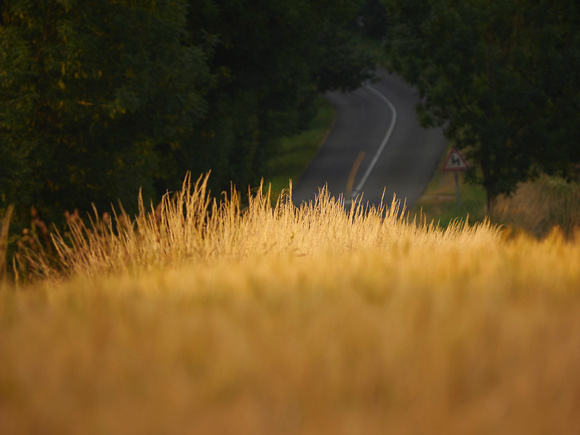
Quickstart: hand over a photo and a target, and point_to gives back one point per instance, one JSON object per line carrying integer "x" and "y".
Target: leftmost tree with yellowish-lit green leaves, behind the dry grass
{"x": 91, "y": 93}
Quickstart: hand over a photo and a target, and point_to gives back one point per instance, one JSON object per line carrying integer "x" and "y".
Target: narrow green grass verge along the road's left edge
{"x": 297, "y": 151}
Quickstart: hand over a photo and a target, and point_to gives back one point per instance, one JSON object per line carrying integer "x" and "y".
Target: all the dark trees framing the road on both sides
{"x": 101, "y": 98}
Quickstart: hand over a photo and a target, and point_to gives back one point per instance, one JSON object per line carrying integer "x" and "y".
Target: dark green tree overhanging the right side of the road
{"x": 501, "y": 77}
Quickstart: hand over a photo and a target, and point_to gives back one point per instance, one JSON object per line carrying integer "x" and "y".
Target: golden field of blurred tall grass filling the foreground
{"x": 208, "y": 319}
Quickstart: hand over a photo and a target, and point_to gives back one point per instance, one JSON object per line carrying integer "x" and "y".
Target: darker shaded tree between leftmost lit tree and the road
{"x": 272, "y": 58}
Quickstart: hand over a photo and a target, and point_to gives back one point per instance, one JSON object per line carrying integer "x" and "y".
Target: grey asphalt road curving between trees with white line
{"x": 380, "y": 121}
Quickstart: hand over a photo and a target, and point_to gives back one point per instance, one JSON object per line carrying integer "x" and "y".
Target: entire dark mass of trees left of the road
{"x": 99, "y": 98}
